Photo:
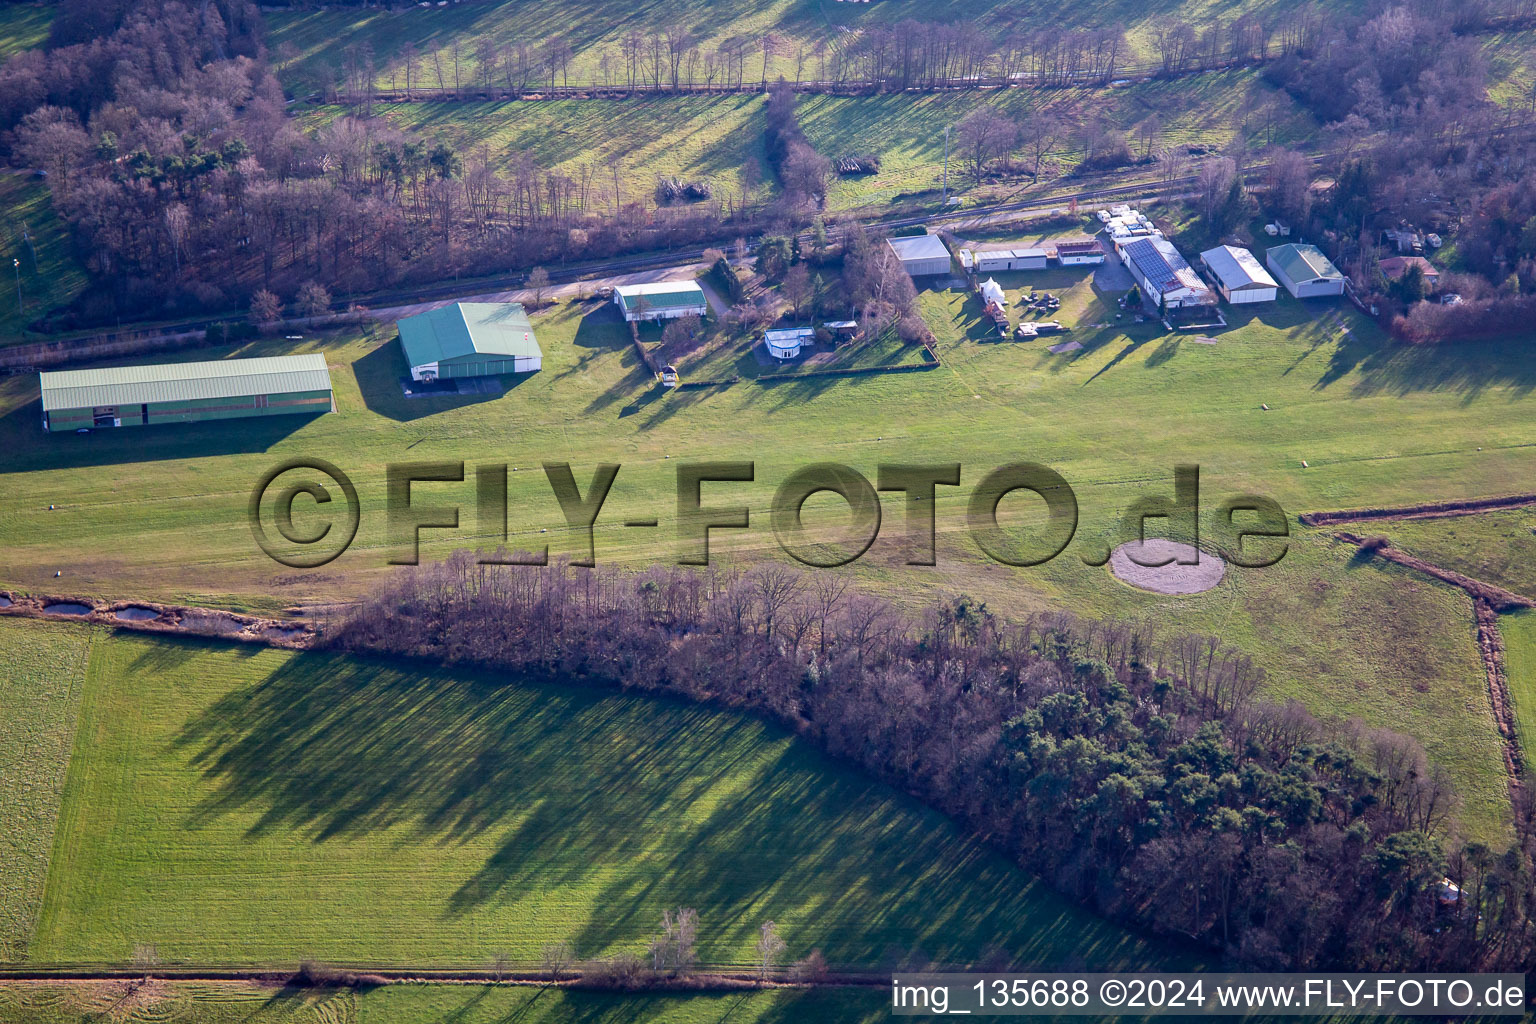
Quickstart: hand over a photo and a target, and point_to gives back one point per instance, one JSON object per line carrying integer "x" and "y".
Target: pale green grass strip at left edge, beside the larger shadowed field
{"x": 41, "y": 687}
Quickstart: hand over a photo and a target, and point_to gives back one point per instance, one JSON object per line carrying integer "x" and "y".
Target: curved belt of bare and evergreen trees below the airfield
{"x": 1145, "y": 778}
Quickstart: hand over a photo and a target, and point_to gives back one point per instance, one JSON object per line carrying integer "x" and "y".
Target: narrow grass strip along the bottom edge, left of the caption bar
{"x": 170, "y": 1003}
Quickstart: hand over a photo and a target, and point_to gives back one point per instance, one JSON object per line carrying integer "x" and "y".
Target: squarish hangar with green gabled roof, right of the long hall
{"x": 471, "y": 340}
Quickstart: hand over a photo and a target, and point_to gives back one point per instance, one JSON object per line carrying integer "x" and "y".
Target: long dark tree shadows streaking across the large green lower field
{"x": 637, "y": 804}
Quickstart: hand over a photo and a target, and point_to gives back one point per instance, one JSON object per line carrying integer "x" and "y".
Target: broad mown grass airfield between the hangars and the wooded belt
{"x": 1377, "y": 424}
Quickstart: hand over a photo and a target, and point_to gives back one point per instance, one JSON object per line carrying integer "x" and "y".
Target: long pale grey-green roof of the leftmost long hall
{"x": 184, "y": 382}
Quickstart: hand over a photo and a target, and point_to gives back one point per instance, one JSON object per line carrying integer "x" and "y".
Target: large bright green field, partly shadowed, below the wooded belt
{"x": 234, "y": 807}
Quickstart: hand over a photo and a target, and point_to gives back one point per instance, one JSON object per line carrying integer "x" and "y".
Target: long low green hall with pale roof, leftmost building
{"x": 187, "y": 392}
